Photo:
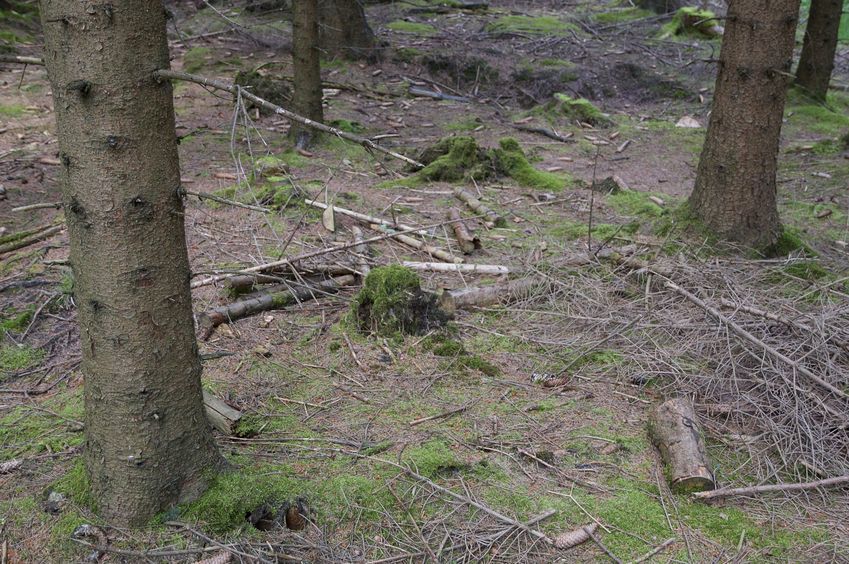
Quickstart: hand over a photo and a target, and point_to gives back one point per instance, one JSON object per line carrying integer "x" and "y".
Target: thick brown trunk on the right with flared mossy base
{"x": 735, "y": 191}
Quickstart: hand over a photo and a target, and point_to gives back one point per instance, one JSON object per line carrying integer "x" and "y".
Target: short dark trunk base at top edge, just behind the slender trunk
{"x": 344, "y": 29}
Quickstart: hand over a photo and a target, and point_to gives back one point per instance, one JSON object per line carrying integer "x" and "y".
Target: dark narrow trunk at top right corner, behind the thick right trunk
{"x": 817, "y": 59}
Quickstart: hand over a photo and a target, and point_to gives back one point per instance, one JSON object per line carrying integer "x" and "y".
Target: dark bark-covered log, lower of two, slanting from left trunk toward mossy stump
{"x": 208, "y": 321}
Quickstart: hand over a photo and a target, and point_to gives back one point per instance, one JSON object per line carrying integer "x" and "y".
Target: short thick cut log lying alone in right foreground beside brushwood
{"x": 675, "y": 431}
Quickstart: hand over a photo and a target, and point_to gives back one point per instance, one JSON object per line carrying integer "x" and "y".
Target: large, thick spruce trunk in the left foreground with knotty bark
{"x": 148, "y": 443}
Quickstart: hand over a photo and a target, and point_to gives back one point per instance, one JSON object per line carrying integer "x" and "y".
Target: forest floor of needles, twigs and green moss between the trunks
{"x": 539, "y": 405}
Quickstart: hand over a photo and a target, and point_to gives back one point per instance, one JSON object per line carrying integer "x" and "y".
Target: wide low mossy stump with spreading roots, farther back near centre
{"x": 455, "y": 159}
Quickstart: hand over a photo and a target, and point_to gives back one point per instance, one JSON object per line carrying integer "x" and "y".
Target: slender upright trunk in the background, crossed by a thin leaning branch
{"x": 305, "y": 54}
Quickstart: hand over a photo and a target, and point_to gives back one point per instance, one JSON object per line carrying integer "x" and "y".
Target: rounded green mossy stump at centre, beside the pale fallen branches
{"x": 392, "y": 302}
